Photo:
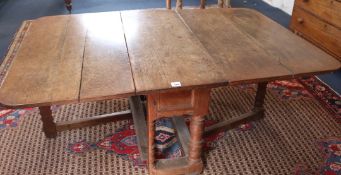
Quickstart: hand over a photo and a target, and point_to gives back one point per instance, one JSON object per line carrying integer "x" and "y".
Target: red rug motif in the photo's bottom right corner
{"x": 331, "y": 149}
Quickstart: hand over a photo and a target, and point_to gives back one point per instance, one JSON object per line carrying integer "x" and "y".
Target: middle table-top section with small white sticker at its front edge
{"x": 163, "y": 50}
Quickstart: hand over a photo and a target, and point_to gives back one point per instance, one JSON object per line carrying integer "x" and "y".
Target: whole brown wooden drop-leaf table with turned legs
{"x": 173, "y": 58}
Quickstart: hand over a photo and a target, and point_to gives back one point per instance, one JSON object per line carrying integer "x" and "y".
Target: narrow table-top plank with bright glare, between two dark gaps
{"x": 106, "y": 69}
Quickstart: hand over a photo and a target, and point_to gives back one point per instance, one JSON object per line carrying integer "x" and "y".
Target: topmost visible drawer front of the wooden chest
{"x": 328, "y": 10}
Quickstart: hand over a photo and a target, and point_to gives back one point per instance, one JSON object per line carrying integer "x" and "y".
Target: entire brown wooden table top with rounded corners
{"x": 73, "y": 58}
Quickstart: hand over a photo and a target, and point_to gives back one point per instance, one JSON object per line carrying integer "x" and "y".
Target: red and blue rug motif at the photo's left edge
{"x": 10, "y": 117}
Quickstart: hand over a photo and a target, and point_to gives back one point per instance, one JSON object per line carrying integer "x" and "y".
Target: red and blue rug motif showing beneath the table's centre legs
{"x": 124, "y": 142}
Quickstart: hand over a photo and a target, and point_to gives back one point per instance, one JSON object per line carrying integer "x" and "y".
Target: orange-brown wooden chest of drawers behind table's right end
{"x": 319, "y": 21}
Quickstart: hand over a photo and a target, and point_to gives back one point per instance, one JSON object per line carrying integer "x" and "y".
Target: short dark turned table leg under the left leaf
{"x": 49, "y": 126}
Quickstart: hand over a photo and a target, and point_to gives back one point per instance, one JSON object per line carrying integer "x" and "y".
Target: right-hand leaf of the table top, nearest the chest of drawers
{"x": 253, "y": 48}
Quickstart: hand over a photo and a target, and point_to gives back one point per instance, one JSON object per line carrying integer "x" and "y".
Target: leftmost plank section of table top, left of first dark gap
{"x": 47, "y": 67}
